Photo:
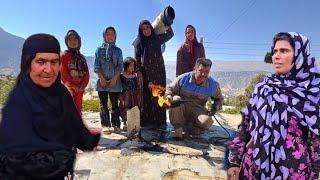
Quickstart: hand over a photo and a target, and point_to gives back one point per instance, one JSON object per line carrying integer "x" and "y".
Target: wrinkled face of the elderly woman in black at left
{"x": 44, "y": 69}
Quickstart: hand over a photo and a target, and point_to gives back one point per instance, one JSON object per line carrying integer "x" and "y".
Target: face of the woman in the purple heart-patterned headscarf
{"x": 282, "y": 57}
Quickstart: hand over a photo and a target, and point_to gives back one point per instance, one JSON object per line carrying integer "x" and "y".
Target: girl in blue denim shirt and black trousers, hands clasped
{"x": 108, "y": 65}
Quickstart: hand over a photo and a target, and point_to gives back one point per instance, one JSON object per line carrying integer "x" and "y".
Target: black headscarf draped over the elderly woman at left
{"x": 53, "y": 115}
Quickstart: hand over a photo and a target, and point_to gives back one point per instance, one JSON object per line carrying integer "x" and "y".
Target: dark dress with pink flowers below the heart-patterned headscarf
{"x": 300, "y": 150}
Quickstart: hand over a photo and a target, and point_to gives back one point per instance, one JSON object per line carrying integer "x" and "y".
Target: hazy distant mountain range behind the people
{"x": 233, "y": 76}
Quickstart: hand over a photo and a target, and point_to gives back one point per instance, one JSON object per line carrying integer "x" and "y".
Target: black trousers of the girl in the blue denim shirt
{"x": 104, "y": 111}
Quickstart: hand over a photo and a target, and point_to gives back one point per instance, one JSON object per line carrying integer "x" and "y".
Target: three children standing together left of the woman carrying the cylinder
{"x": 117, "y": 78}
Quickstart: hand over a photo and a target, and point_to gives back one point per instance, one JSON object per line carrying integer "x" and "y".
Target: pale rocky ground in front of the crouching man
{"x": 156, "y": 155}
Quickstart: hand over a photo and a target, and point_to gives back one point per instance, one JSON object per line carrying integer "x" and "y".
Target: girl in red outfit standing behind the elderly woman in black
{"x": 74, "y": 68}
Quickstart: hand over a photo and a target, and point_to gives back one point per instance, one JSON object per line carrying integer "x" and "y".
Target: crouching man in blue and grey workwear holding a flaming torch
{"x": 188, "y": 95}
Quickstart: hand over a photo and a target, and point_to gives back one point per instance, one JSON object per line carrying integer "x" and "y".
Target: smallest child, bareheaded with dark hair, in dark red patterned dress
{"x": 129, "y": 96}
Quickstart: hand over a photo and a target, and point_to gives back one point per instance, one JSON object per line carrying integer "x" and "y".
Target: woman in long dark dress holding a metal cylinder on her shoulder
{"x": 150, "y": 67}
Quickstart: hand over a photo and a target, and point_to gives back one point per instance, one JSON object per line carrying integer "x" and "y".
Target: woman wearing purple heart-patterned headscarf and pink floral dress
{"x": 279, "y": 134}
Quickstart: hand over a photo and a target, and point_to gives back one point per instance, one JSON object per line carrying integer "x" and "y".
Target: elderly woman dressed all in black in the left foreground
{"x": 40, "y": 126}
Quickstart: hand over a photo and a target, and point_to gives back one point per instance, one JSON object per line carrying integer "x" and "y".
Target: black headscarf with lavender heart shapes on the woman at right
{"x": 279, "y": 98}
